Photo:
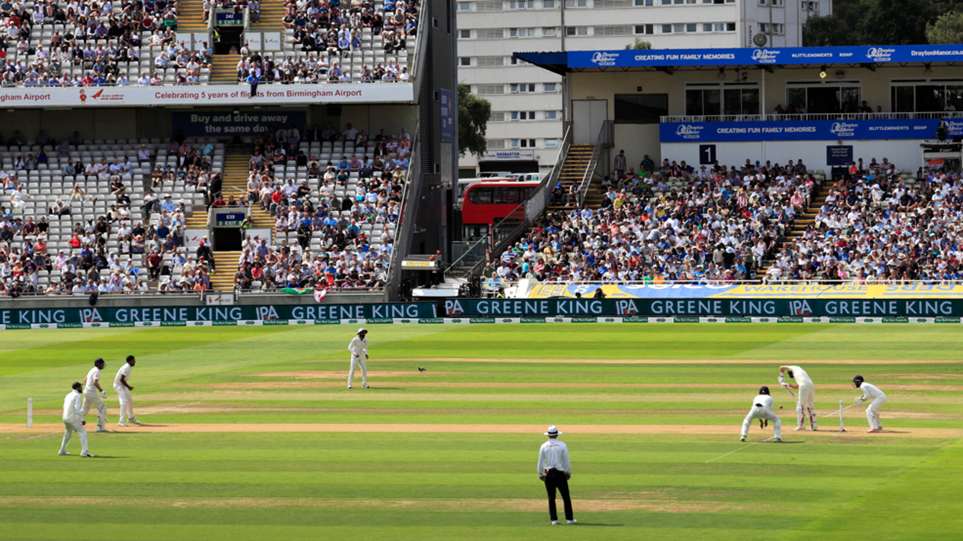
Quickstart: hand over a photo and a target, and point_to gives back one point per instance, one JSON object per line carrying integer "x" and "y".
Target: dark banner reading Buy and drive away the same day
{"x": 227, "y": 124}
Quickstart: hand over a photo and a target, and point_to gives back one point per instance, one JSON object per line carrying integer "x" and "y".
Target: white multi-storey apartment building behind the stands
{"x": 526, "y": 122}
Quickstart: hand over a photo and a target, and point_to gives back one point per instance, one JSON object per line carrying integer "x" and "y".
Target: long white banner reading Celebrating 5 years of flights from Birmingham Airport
{"x": 204, "y": 95}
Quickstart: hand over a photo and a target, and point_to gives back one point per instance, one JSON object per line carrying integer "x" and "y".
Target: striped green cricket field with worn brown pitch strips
{"x": 251, "y": 434}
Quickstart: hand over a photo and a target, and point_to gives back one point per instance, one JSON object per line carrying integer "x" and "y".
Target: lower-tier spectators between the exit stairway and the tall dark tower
{"x": 339, "y": 215}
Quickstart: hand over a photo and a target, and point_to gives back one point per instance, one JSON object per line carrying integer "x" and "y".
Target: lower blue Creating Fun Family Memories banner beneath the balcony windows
{"x": 804, "y": 130}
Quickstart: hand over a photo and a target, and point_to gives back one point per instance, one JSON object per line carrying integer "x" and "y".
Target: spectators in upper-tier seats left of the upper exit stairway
{"x": 96, "y": 43}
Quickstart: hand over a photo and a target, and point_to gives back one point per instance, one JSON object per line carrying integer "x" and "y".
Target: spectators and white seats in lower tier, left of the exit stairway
{"x": 97, "y": 232}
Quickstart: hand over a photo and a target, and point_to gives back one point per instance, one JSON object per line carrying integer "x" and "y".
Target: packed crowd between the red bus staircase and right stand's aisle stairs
{"x": 672, "y": 223}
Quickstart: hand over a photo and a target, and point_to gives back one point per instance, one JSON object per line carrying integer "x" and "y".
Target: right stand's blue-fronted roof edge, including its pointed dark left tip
{"x": 669, "y": 59}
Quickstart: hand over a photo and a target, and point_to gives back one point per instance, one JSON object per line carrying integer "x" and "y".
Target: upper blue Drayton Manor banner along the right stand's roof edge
{"x": 755, "y": 57}
